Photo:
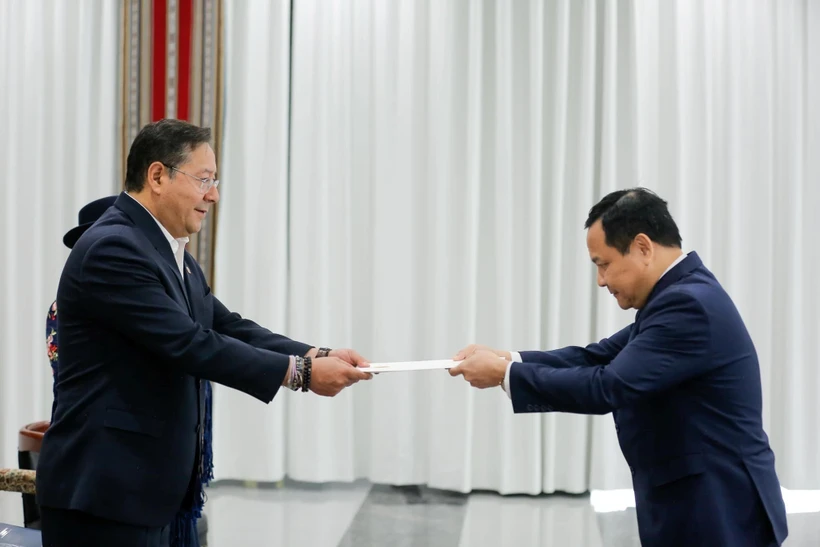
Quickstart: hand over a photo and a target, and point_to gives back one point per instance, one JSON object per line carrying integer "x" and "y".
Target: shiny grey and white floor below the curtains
{"x": 365, "y": 515}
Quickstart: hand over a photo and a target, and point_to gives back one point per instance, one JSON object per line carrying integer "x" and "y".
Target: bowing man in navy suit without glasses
{"x": 682, "y": 382}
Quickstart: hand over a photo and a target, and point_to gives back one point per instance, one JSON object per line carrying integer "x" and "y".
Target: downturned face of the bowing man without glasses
{"x": 628, "y": 277}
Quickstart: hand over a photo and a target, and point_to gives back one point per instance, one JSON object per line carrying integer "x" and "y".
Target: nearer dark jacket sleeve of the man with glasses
{"x": 123, "y": 290}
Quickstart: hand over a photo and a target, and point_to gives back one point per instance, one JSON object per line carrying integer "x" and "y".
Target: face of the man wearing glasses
{"x": 181, "y": 205}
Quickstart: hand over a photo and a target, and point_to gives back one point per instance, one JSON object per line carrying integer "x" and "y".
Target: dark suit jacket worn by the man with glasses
{"x": 135, "y": 340}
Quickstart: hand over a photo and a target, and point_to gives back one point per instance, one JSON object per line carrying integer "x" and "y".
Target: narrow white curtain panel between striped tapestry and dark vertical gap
{"x": 251, "y": 265}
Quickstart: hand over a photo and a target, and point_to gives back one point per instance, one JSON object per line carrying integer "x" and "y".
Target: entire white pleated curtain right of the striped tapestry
{"x": 443, "y": 157}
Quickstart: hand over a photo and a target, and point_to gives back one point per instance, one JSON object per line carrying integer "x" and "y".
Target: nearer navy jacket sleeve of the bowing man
{"x": 672, "y": 347}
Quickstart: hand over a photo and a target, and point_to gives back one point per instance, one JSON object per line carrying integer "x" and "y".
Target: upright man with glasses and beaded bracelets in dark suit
{"x": 140, "y": 332}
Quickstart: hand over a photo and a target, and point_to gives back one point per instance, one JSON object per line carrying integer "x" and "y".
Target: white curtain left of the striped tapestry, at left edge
{"x": 58, "y": 151}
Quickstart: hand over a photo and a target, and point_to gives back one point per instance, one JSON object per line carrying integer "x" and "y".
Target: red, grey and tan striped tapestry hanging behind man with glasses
{"x": 172, "y": 68}
